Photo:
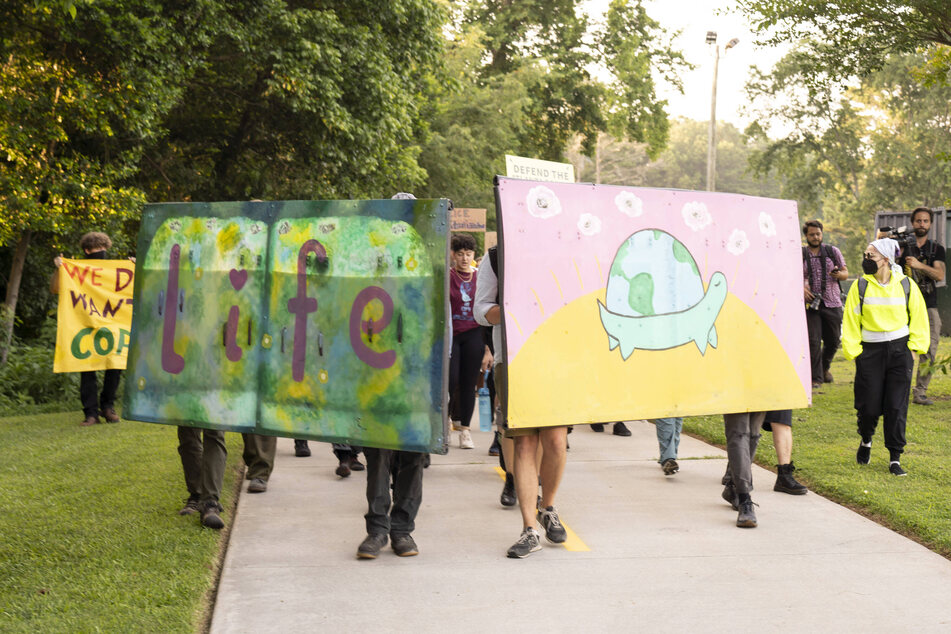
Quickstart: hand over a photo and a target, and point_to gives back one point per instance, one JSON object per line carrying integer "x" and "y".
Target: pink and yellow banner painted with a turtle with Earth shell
{"x": 625, "y": 303}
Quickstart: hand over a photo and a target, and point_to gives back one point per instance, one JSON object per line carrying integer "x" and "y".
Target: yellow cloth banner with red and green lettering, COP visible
{"x": 94, "y": 316}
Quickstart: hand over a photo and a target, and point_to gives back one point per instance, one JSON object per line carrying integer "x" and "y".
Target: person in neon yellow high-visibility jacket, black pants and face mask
{"x": 881, "y": 331}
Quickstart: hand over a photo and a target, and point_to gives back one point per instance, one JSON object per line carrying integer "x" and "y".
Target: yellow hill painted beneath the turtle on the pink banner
{"x": 566, "y": 374}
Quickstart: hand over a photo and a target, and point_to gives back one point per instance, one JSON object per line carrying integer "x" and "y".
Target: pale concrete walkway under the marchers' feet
{"x": 652, "y": 553}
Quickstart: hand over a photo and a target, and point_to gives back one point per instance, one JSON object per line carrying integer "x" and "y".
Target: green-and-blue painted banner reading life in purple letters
{"x": 311, "y": 319}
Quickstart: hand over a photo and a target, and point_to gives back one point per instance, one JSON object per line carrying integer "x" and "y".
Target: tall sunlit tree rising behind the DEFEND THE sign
{"x": 563, "y": 45}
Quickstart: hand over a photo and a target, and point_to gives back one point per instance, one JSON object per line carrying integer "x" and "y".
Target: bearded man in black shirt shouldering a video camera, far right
{"x": 923, "y": 262}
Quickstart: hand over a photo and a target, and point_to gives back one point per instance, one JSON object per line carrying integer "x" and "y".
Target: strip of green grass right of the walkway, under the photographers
{"x": 824, "y": 444}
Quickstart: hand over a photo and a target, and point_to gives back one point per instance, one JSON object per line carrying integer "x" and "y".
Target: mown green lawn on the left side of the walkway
{"x": 90, "y": 537}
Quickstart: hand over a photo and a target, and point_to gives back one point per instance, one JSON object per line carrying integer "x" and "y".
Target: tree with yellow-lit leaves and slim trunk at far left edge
{"x": 82, "y": 88}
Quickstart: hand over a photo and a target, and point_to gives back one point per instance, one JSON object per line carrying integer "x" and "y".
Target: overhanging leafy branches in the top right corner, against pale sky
{"x": 858, "y": 36}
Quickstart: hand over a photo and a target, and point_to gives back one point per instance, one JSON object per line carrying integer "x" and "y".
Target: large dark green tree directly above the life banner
{"x": 303, "y": 100}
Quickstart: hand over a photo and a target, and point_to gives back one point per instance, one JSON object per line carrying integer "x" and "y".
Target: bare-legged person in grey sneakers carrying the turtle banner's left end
{"x": 554, "y": 440}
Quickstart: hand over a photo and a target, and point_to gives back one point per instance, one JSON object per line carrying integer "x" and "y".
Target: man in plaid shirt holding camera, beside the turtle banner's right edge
{"x": 822, "y": 268}
